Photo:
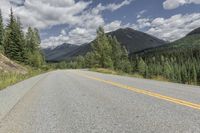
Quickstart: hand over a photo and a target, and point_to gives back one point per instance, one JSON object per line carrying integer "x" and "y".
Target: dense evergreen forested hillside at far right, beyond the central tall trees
{"x": 178, "y": 61}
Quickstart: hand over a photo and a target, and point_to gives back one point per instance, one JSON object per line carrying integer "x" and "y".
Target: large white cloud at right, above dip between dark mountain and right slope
{"x": 175, "y": 27}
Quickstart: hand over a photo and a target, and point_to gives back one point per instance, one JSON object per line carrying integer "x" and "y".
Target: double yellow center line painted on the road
{"x": 145, "y": 92}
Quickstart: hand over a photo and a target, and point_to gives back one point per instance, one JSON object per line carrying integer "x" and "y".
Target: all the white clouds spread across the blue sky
{"x": 84, "y": 21}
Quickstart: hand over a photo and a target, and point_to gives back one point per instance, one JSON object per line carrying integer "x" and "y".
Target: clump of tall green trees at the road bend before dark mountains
{"x": 106, "y": 53}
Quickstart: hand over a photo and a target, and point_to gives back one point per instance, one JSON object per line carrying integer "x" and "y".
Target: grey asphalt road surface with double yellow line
{"x": 77, "y": 101}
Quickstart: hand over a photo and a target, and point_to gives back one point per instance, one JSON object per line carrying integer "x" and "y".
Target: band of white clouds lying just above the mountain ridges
{"x": 169, "y": 29}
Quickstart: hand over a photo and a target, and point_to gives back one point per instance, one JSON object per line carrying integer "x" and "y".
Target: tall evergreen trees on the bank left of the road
{"x": 20, "y": 46}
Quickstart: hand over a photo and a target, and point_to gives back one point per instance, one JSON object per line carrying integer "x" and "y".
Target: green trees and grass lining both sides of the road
{"x": 178, "y": 62}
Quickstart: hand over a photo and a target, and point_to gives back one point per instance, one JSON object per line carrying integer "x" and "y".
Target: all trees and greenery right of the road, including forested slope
{"x": 175, "y": 64}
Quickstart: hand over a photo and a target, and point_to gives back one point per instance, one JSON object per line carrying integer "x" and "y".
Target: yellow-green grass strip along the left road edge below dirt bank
{"x": 8, "y": 79}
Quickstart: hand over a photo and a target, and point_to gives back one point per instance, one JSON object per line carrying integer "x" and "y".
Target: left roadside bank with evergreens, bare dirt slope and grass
{"x": 23, "y": 51}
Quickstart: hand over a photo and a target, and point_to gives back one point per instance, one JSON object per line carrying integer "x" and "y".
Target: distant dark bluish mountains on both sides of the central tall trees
{"x": 133, "y": 40}
